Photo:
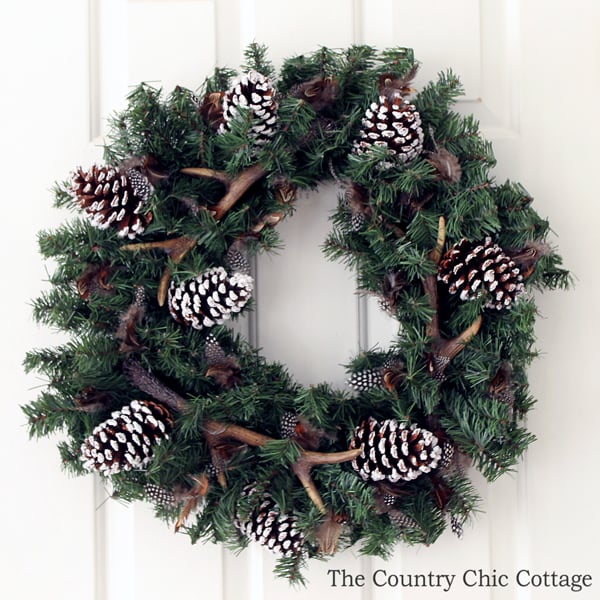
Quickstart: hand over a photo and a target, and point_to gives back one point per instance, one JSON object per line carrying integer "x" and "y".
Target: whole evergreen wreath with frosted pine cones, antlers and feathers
{"x": 159, "y": 397}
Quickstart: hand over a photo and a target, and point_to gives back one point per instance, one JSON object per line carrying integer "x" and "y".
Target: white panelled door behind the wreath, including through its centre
{"x": 532, "y": 75}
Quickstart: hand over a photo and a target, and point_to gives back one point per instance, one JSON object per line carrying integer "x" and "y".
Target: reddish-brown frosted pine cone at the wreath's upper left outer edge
{"x": 113, "y": 197}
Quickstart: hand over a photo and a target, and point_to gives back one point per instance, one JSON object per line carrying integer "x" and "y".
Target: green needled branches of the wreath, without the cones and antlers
{"x": 400, "y": 228}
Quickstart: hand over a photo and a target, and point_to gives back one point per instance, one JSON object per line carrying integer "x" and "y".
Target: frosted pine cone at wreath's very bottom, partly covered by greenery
{"x": 269, "y": 527}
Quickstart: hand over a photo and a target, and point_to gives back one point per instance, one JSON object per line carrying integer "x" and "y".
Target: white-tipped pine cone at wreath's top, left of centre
{"x": 254, "y": 92}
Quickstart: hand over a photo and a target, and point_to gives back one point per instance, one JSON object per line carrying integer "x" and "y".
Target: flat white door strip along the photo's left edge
{"x": 47, "y": 538}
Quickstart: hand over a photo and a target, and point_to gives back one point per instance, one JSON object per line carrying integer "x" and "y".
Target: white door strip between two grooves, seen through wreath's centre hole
{"x": 306, "y": 305}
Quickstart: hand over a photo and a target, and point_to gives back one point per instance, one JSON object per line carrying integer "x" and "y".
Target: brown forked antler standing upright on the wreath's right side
{"x": 443, "y": 350}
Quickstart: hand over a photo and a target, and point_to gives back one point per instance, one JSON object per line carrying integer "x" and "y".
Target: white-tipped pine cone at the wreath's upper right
{"x": 392, "y": 123}
